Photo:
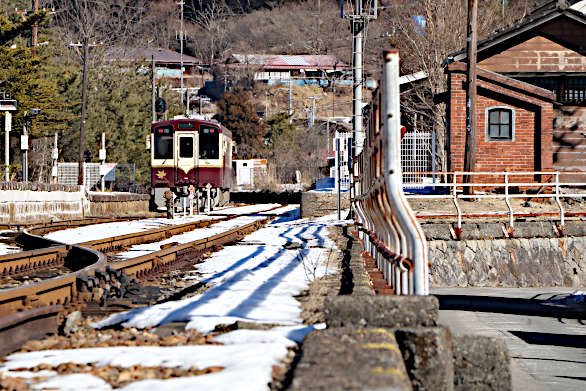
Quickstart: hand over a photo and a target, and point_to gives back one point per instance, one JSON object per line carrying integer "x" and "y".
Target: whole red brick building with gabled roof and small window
{"x": 531, "y": 109}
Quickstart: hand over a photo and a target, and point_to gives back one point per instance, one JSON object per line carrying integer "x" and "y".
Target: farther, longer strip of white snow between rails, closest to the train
{"x": 107, "y": 230}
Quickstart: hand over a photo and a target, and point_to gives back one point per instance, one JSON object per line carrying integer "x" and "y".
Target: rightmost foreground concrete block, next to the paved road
{"x": 481, "y": 363}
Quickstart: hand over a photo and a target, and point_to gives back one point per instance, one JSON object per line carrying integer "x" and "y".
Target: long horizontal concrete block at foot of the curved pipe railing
{"x": 382, "y": 311}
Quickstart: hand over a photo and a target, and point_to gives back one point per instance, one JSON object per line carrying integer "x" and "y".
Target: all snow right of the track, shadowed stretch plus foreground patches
{"x": 254, "y": 281}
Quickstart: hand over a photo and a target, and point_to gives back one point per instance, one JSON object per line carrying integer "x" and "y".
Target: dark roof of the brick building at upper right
{"x": 511, "y": 36}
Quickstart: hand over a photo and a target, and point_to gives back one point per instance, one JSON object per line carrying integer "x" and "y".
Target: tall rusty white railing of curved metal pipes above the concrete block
{"x": 391, "y": 233}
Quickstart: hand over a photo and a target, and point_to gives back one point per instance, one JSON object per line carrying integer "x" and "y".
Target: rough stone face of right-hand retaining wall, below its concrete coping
{"x": 531, "y": 262}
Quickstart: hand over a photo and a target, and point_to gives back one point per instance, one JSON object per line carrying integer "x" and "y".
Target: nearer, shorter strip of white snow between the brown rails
{"x": 190, "y": 236}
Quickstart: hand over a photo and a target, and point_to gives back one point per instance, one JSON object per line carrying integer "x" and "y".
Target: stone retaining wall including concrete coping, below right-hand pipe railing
{"x": 536, "y": 257}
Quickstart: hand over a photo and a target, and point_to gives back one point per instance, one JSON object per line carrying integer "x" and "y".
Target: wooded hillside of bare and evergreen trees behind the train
{"x": 119, "y": 94}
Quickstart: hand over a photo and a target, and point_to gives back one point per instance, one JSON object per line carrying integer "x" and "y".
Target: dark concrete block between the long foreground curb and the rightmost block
{"x": 428, "y": 357}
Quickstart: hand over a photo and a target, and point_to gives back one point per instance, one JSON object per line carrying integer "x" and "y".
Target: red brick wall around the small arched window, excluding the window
{"x": 532, "y": 111}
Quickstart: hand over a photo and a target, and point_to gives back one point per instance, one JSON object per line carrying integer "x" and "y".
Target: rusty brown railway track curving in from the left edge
{"x": 30, "y": 310}
